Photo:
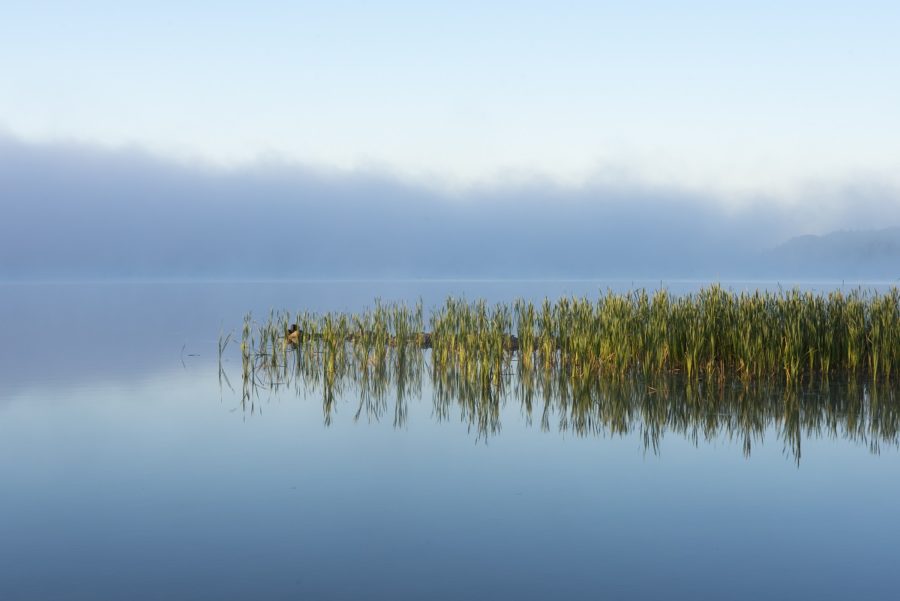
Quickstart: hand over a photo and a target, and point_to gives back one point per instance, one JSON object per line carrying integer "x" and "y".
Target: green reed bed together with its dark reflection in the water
{"x": 705, "y": 365}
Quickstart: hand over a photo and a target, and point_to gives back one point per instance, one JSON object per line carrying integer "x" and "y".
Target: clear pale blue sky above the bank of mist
{"x": 735, "y": 100}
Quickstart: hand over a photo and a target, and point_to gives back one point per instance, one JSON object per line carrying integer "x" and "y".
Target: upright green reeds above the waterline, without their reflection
{"x": 714, "y": 333}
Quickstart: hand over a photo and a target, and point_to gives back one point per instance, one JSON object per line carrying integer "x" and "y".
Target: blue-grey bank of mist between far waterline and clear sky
{"x": 78, "y": 211}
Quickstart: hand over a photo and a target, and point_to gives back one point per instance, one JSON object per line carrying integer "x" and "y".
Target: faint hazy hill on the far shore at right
{"x": 873, "y": 254}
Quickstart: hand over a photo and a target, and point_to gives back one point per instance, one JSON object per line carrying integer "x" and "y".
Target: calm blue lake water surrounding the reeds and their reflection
{"x": 128, "y": 472}
